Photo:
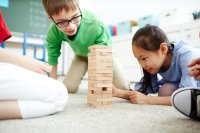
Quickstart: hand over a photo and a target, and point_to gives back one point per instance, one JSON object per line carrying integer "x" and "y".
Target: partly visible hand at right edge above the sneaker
{"x": 195, "y": 72}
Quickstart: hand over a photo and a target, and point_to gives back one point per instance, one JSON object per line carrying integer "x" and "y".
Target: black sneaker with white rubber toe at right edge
{"x": 187, "y": 101}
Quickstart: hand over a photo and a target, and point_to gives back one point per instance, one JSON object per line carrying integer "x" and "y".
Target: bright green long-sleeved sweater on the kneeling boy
{"x": 91, "y": 31}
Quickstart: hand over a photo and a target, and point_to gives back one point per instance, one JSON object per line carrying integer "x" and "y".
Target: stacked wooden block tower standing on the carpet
{"x": 100, "y": 76}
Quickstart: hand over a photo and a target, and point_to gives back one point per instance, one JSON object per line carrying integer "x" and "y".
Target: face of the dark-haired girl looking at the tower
{"x": 151, "y": 61}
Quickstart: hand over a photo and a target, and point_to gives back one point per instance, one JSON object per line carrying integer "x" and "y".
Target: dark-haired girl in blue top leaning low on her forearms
{"x": 157, "y": 56}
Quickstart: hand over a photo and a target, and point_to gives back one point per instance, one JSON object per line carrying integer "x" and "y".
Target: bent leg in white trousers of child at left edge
{"x": 37, "y": 95}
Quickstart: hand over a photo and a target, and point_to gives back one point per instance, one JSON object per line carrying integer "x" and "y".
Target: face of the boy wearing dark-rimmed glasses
{"x": 68, "y": 22}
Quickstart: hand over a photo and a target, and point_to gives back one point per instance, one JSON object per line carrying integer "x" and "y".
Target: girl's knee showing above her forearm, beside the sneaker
{"x": 166, "y": 89}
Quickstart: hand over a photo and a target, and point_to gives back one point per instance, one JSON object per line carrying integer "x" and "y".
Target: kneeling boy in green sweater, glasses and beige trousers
{"x": 81, "y": 29}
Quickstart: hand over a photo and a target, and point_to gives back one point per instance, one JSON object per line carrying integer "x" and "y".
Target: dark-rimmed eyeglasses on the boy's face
{"x": 66, "y": 22}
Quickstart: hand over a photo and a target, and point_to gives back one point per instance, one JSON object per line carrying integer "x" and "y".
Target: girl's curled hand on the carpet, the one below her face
{"x": 137, "y": 97}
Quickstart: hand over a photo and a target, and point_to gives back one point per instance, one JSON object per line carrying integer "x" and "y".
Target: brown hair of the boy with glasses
{"x": 53, "y": 7}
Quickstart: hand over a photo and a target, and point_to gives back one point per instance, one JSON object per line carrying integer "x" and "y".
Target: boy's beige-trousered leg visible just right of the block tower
{"x": 119, "y": 79}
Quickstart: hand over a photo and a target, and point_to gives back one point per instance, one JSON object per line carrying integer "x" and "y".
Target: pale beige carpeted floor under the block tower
{"x": 125, "y": 117}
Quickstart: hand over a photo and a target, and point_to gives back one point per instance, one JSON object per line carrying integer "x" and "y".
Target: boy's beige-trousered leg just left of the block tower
{"x": 75, "y": 73}
